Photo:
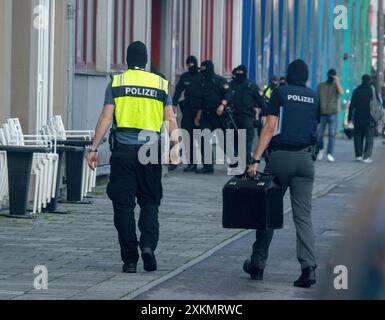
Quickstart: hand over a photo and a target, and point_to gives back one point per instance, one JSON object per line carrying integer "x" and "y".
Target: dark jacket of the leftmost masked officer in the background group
{"x": 190, "y": 84}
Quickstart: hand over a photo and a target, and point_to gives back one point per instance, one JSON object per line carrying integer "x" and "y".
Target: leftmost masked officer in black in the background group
{"x": 190, "y": 84}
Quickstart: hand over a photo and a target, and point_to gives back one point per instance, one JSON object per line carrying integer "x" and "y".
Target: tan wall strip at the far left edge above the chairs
{"x": 5, "y": 58}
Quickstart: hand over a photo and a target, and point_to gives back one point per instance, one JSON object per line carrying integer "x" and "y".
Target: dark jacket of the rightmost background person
{"x": 359, "y": 111}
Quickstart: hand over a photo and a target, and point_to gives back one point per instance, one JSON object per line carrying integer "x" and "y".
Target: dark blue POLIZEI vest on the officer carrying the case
{"x": 298, "y": 118}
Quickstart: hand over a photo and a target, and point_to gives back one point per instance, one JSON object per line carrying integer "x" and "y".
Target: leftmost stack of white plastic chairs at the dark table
{"x": 44, "y": 165}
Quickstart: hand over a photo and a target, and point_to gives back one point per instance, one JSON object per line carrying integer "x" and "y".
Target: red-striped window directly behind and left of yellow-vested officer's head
{"x": 122, "y": 32}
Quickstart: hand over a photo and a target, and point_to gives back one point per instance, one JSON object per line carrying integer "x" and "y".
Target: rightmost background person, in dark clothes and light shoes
{"x": 364, "y": 125}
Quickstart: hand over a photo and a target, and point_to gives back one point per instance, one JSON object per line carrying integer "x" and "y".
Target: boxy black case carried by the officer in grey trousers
{"x": 253, "y": 203}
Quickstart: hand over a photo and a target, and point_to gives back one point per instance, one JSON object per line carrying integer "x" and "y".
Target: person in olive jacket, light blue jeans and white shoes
{"x": 329, "y": 93}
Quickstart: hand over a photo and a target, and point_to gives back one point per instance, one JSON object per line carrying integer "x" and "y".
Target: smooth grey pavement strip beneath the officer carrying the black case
{"x": 220, "y": 277}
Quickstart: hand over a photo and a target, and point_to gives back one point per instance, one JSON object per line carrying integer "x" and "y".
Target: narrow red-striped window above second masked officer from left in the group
{"x": 207, "y": 29}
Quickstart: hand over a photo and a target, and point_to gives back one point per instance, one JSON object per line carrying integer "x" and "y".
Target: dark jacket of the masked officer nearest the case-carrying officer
{"x": 245, "y": 97}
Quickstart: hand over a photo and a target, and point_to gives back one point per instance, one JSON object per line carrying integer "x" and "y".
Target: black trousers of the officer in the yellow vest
{"x": 131, "y": 181}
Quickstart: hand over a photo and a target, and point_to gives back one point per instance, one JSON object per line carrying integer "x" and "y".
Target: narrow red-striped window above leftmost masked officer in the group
{"x": 183, "y": 47}
